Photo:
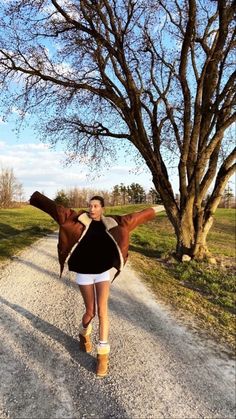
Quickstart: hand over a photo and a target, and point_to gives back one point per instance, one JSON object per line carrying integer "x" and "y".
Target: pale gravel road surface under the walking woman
{"x": 158, "y": 367}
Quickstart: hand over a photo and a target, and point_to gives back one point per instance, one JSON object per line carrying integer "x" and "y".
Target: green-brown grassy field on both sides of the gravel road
{"x": 204, "y": 291}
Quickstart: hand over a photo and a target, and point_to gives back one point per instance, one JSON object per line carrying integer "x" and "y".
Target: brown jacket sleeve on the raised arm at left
{"x": 57, "y": 212}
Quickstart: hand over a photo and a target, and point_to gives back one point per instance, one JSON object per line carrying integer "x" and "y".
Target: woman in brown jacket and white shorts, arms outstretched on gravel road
{"x": 94, "y": 244}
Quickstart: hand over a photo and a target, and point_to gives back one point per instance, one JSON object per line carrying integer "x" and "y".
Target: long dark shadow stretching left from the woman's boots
{"x": 70, "y": 344}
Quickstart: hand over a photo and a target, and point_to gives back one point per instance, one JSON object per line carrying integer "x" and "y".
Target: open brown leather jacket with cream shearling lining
{"x": 73, "y": 226}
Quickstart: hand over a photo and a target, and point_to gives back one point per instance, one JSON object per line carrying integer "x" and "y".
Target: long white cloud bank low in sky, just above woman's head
{"x": 38, "y": 167}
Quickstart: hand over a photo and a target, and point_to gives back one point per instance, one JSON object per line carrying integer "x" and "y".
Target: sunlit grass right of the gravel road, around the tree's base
{"x": 195, "y": 288}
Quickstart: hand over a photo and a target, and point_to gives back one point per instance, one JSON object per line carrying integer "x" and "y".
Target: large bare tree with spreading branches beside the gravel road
{"x": 158, "y": 74}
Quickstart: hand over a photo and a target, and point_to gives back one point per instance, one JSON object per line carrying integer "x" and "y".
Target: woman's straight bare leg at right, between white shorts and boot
{"x": 102, "y": 292}
